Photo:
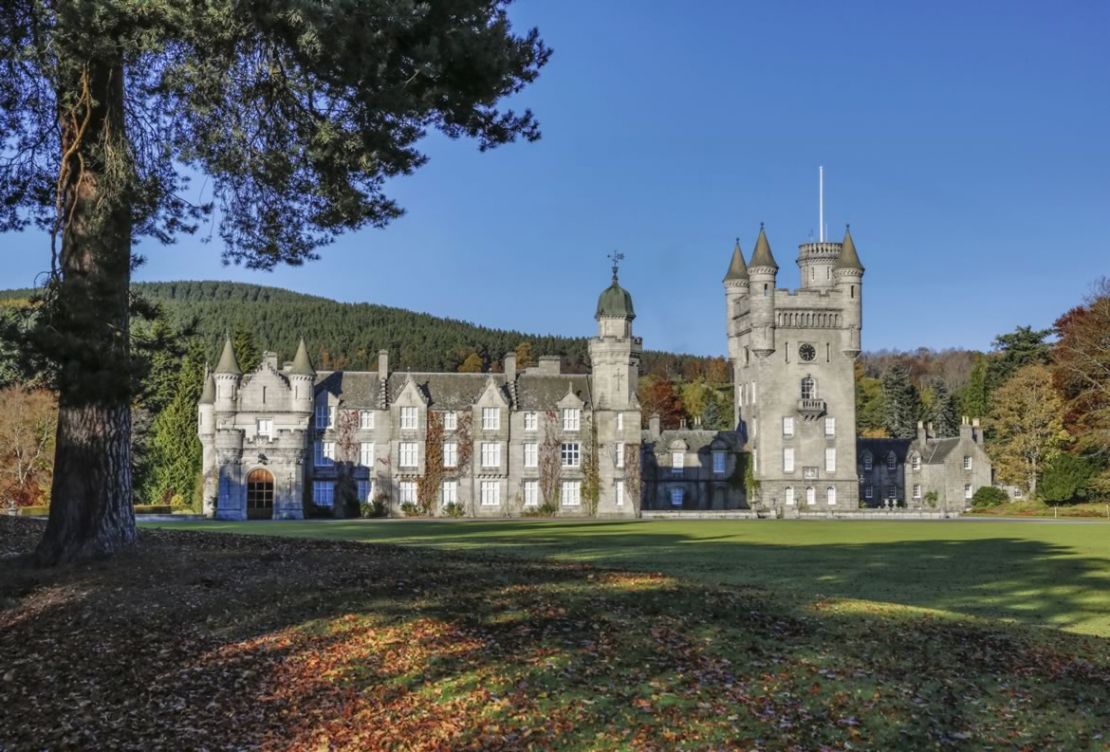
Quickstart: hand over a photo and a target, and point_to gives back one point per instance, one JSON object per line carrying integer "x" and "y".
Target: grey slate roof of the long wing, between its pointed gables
{"x": 452, "y": 392}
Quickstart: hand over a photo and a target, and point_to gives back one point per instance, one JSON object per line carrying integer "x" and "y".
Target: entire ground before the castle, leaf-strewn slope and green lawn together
{"x": 226, "y": 643}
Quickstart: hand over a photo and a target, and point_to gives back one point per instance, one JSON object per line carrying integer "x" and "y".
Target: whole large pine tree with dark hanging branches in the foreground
{"x": 297, "y": 114}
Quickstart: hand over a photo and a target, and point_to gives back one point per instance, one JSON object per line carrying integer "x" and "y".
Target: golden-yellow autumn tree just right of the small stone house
{"x": 1027, "y": 426}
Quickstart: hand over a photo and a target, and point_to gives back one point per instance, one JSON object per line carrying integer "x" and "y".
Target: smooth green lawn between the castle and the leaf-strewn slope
{"x": 1033, "y": 574}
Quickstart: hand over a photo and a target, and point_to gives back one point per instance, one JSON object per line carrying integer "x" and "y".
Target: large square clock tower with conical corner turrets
{"x": 793, "y": 355}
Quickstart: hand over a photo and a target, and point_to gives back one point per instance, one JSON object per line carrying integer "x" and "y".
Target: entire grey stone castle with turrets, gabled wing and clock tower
{"x": 287, "y": 439}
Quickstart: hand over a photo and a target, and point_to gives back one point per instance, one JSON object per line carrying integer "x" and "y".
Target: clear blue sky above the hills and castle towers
{"x": 966, "y": 143}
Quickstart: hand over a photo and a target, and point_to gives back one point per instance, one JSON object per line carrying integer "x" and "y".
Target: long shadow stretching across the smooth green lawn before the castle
{"x": 1030, "y": 581}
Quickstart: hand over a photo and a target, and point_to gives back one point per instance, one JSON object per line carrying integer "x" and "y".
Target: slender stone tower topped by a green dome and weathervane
{"x": 614, "y": 357}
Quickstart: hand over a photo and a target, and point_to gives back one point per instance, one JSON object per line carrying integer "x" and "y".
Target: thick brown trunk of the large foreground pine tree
{"x": 87, "y": 333}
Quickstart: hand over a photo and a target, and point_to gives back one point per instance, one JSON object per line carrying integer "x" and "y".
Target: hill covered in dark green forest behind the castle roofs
{"x": 350, "y": 335}
